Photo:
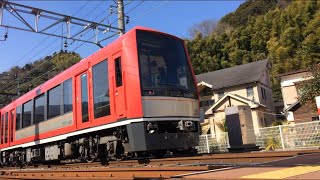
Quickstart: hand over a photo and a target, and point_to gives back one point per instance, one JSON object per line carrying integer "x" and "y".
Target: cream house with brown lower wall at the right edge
{"x": 296, "y": 112}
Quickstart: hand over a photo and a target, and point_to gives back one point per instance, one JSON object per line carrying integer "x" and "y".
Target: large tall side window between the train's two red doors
{"x": 101, "y": 89}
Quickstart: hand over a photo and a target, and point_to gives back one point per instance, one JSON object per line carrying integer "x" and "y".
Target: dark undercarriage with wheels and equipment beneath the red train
{"x": 140, "y": 139}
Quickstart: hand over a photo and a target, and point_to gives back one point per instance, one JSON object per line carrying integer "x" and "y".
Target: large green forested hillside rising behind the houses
{"x": 285, "y": 32}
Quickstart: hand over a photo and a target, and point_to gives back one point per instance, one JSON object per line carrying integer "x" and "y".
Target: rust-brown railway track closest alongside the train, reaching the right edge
{"x": 217, "y": 159}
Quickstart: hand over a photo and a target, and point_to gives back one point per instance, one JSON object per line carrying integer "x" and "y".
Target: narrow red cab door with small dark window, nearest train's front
{"x": 119, "y": 93}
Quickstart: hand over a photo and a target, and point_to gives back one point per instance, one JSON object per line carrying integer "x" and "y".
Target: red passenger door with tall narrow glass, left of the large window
{"x": 82, "y": 100}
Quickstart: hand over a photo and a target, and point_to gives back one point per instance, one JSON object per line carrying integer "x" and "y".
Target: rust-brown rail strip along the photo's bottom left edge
{"x": 109, "y": 173}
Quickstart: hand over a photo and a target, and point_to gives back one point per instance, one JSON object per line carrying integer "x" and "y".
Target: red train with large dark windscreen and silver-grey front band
{"x": 135, "y": 96}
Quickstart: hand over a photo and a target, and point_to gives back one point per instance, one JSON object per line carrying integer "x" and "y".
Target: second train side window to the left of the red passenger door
{"x": 54, "y": 102}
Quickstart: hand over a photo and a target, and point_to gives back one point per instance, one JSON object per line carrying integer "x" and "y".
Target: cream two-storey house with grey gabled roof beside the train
{"x": 247, "y": 84}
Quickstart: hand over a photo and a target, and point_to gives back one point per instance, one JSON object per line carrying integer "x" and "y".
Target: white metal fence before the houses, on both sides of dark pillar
{"x": 285, "y": 137}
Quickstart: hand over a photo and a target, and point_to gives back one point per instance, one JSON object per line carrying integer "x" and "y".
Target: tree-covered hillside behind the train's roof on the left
{"x": 31, "y": 75}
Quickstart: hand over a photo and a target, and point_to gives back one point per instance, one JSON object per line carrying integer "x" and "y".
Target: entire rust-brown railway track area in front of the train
{"x": 145, "y": 168}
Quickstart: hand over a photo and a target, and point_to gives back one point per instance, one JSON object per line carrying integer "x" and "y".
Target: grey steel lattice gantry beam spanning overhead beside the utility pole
{"x": 18, "y": 11}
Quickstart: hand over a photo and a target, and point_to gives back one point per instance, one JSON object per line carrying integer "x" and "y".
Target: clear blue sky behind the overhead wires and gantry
{"x": 173, "y": 17}
